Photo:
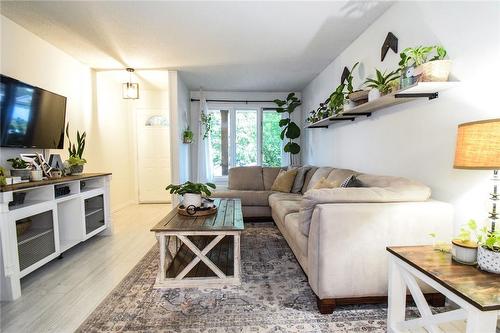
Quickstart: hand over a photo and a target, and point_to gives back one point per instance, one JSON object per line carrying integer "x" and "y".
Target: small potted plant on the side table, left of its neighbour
{"x": 464, "y": 247}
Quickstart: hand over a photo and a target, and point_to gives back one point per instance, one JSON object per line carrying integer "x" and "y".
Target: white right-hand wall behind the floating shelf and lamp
{"x": 417, "y": 139}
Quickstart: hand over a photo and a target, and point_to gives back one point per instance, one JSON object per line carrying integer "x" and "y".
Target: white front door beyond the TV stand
{"x": 153, "y": 152}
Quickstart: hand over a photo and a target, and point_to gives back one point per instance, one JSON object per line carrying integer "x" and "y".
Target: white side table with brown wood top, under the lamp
{"x": 476, "y": 292}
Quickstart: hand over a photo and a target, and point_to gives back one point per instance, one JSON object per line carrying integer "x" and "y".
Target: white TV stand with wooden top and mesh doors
{"x": 48, "y": 223}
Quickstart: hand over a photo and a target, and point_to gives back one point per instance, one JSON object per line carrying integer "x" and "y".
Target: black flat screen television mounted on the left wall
{"x": 30, "y": 117}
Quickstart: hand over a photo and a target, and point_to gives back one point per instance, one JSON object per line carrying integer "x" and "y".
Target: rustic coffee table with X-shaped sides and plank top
{"x": 200, "y": 251}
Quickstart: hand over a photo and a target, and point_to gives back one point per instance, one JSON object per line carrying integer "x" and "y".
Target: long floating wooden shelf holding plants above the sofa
{"x": 428, "y": 90}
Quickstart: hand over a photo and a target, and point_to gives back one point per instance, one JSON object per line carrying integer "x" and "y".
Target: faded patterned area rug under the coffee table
{"x": 274, "y": 297}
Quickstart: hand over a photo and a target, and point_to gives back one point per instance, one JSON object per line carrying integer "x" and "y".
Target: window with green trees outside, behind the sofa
{"x": 244, "y": 137}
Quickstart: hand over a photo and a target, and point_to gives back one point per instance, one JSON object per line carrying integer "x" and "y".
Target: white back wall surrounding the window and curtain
{"x": 227, "y": 95}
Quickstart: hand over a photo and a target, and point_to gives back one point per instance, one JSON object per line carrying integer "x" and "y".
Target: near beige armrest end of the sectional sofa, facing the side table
{"x": 347, "y": 242}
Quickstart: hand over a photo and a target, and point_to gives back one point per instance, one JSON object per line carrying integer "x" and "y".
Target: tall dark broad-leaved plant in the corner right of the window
{"x": 290, "y": 129}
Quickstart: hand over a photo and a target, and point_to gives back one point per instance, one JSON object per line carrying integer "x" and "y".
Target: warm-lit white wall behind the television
{"x": 94, "y": 104}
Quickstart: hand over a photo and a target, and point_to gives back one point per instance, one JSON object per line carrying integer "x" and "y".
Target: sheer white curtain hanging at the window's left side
{"x": 205, "y": 172}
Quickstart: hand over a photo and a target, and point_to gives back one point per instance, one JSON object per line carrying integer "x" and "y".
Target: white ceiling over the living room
{"x": 237, "y": 46}
